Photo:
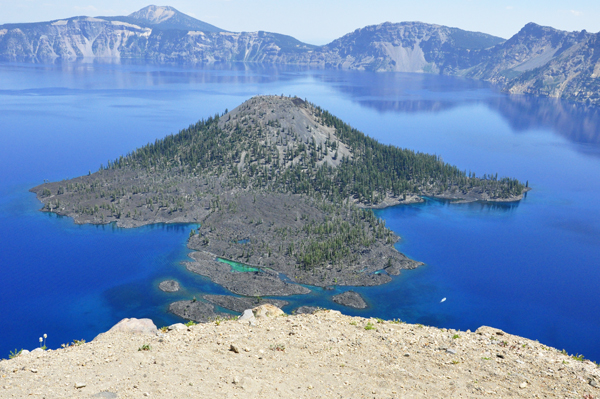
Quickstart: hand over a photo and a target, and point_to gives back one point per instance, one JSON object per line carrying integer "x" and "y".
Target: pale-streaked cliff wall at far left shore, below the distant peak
{"x": 84, "y": 37}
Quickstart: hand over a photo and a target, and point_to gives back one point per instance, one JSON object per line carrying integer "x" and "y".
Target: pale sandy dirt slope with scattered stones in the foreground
{"x": 321, "y": 355}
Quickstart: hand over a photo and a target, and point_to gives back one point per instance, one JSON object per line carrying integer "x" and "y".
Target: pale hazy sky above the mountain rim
{"x": 320, "y": 21}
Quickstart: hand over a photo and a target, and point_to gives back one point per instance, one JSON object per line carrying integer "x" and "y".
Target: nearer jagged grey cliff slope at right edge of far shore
{"x": 544, "y": 61}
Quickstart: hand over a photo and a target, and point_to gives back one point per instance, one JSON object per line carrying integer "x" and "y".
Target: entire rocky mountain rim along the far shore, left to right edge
{"x": 537, "y": 60}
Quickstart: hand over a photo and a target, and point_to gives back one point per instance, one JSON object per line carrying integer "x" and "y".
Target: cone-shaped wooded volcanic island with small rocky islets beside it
{"x": 277, "y": 184}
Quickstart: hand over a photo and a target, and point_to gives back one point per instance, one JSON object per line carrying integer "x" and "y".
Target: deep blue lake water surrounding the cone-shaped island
{"x": 531, "y": 268}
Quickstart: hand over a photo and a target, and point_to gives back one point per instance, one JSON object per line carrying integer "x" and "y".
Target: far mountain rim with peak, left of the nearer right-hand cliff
{"x": 165, "y": 34}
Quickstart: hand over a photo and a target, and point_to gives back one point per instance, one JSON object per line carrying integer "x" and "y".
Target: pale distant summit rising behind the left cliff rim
{"x": 167, "y": 17}
